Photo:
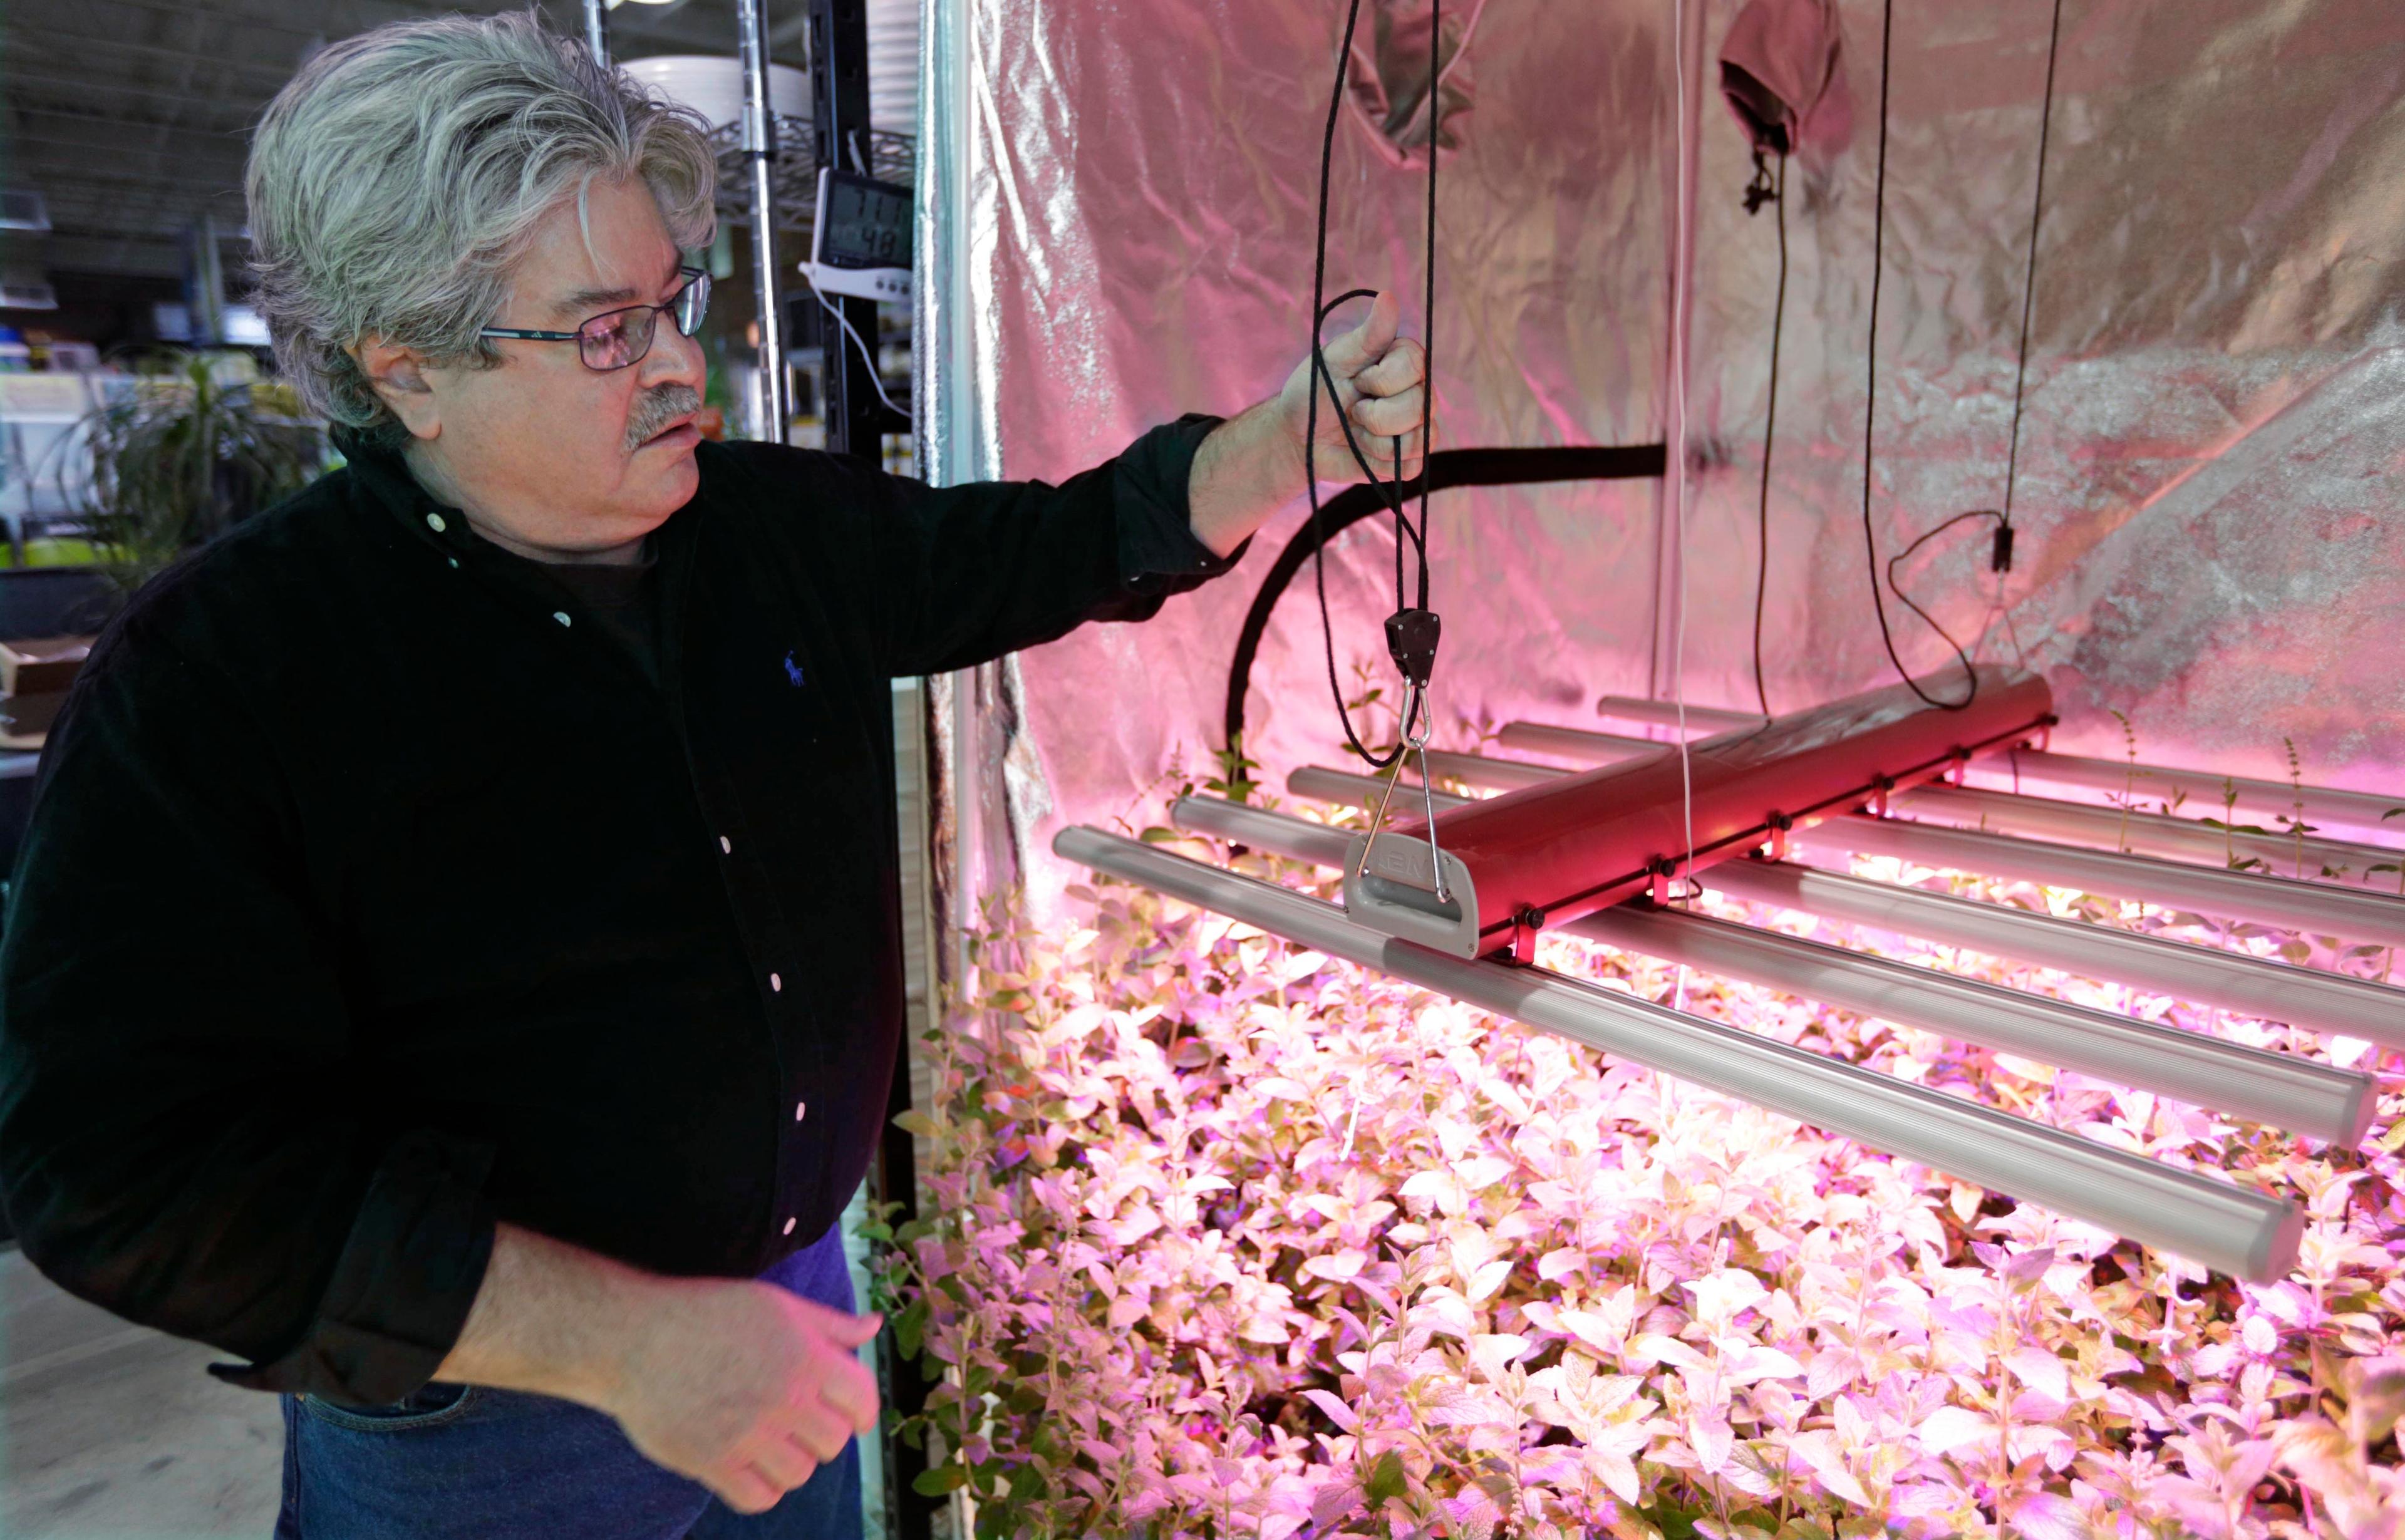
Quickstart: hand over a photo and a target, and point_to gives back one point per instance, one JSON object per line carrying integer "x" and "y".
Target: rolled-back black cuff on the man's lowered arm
{"x": 403, "y": 1284}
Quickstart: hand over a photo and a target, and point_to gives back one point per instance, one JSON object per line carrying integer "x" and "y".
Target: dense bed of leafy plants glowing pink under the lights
{"x": 1235, "y": 1240}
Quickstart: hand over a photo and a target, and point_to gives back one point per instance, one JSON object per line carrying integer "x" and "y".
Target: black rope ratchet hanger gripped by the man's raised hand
{"x": 1415, "y": 629}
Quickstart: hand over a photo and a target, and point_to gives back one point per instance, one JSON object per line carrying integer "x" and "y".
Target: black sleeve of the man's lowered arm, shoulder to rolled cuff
{"x": 182, "y": 1135}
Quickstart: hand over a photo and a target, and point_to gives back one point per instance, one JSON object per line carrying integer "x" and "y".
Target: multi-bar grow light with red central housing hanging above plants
{"x": 1593, "y": 855}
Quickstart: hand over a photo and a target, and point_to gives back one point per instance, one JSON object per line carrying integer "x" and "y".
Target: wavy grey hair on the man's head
{"x": 398, "y": 179}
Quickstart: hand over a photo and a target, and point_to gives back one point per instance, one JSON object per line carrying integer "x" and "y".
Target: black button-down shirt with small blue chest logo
{"x": 374, "y": 892}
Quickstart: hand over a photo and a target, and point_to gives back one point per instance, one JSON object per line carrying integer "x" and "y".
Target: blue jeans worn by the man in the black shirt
{"x": 482, "y": 1464}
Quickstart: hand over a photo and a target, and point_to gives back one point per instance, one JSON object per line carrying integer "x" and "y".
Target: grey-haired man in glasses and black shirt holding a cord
{"x": 456, "y": 954}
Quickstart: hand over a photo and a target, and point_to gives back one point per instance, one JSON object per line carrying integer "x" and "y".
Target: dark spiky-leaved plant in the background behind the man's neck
{"x": 186, "y": 456}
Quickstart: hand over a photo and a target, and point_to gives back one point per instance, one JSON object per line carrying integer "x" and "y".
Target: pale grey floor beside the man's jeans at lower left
{"x": 114, "y": 1433}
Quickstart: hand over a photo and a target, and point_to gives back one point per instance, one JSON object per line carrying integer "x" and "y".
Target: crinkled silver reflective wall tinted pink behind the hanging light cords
{"x": 2209, "y": 456}
